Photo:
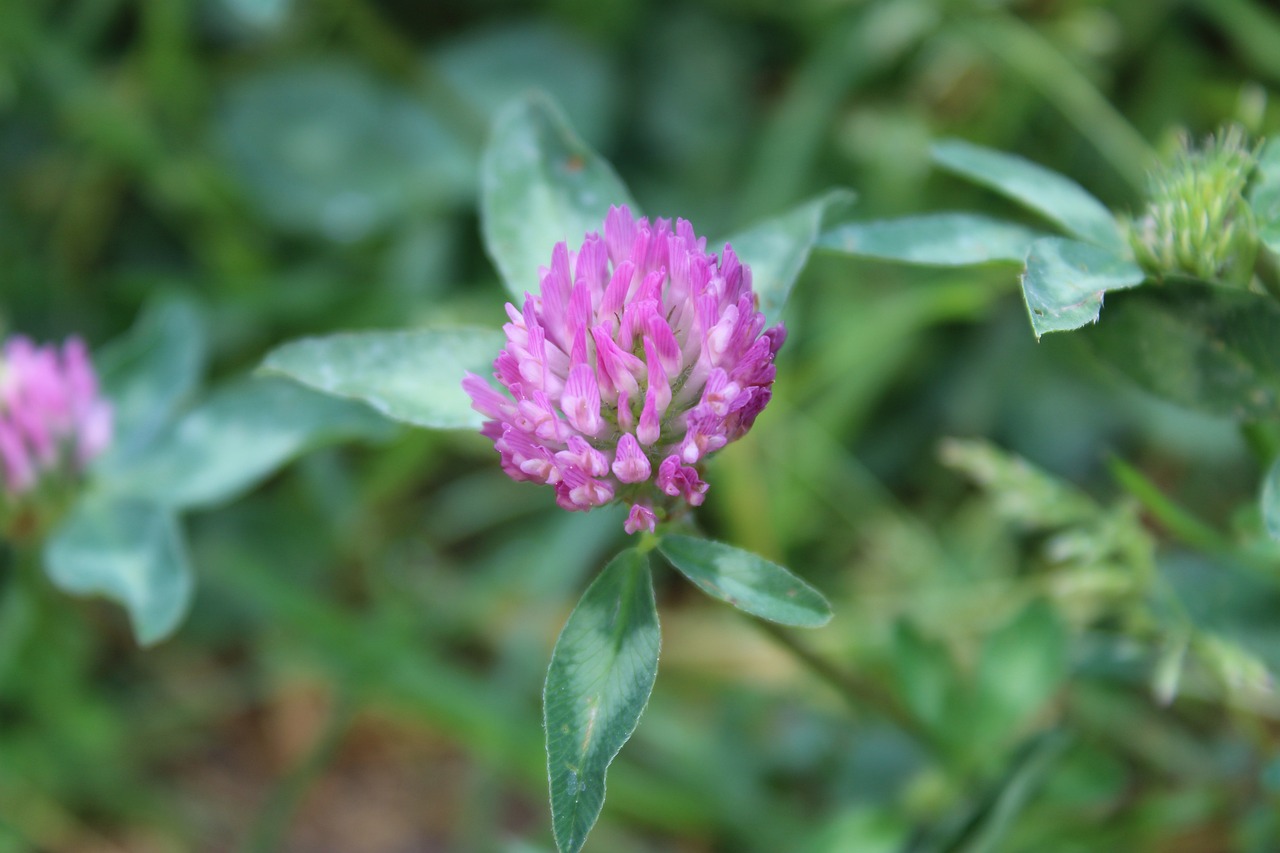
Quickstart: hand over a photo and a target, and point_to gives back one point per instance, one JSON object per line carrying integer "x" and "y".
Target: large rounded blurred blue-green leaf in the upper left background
{"x": 331, "y": 150}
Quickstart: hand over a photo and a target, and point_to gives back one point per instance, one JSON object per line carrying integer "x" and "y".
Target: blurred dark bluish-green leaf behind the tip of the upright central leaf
{"x": 490, "y": 67}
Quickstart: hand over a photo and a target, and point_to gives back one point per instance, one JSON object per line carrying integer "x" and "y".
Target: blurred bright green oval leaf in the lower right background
{"x": 1023, "y": 664}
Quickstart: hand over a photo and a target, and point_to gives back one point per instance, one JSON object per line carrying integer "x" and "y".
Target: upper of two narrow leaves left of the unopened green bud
{"x": 1053, "y": 195}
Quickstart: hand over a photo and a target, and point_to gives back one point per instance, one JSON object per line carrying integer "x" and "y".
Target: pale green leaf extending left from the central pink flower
{"x": 415, "y": 377}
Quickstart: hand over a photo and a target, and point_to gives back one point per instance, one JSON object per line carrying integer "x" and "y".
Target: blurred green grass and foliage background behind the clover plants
{"x": 1020, "y": 662}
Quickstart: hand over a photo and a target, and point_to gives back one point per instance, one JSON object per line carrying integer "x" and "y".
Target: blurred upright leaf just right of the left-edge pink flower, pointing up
{"x": 150, "y": 372}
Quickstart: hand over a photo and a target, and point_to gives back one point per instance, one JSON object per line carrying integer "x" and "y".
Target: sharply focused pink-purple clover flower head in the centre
{"x": 641, "y": 355}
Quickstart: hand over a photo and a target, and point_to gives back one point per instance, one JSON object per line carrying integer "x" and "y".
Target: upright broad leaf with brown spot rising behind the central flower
{"x": 541, "y": 185}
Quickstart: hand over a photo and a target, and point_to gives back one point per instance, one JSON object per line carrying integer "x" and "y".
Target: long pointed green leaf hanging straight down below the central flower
{"x": 601, "y": 676}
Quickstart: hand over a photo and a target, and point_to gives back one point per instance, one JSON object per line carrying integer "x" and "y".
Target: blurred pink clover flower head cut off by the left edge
{"x": 52, "y": 416}
